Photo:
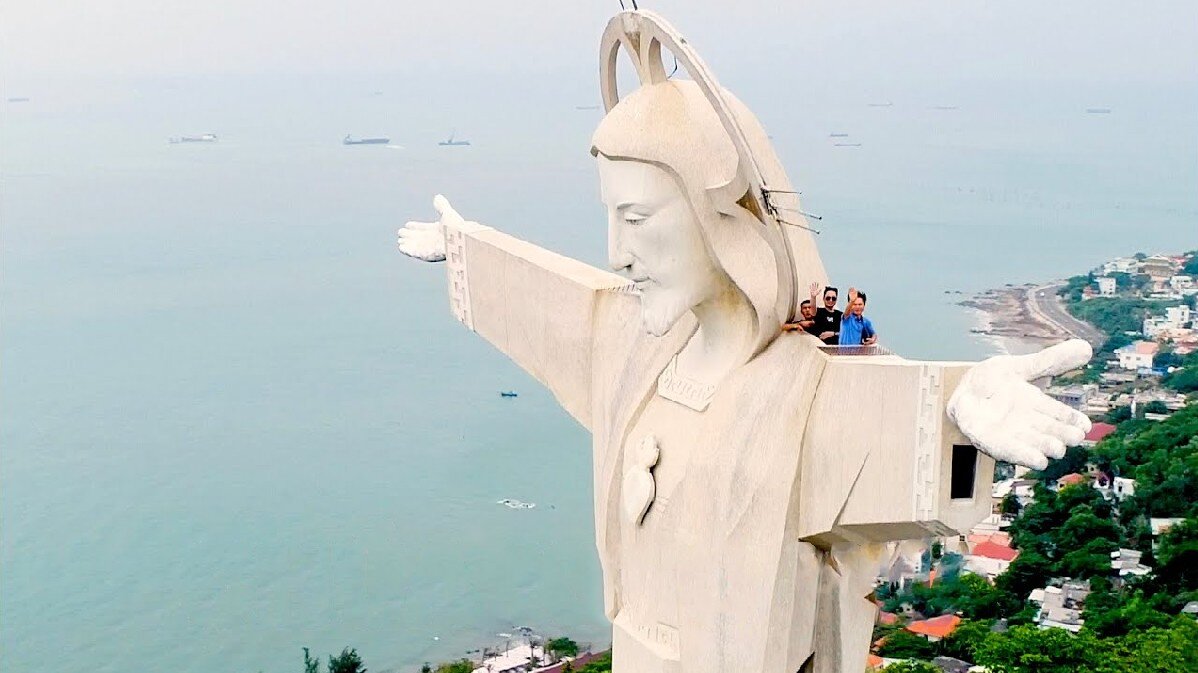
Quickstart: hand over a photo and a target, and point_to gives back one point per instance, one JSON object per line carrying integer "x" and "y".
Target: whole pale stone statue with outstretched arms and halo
{"x": 746, "y": 483}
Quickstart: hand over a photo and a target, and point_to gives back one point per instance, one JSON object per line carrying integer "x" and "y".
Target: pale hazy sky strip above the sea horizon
{"x": 1080, "y": 40}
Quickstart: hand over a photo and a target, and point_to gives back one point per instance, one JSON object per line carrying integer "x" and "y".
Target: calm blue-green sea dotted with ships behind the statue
{"x": 235, "y": 422}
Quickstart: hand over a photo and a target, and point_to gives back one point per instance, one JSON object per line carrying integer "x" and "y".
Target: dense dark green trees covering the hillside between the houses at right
{"x": 1132, "y": 627}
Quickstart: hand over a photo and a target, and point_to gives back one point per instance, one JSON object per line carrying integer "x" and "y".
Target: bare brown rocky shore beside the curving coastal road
{"x": 1007, "y": 319}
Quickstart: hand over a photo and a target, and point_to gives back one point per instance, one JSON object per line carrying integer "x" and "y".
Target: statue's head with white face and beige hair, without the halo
{"x": 681, "y": 223}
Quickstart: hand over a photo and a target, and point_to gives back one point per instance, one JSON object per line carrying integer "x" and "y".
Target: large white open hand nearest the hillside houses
{"x": 1009, "y": 419}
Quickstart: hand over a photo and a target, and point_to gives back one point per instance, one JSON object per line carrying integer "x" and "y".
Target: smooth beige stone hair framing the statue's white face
{"x": 671, "y": 125}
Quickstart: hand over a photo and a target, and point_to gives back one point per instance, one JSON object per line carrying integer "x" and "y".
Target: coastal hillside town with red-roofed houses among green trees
{"x": 1091, "y": 565}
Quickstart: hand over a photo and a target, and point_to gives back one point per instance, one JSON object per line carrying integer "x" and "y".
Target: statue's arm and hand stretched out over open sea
{"x": 537, "y": 307}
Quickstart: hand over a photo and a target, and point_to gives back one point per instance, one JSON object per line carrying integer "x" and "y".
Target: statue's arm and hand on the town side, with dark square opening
{"x": 888, "y": 453}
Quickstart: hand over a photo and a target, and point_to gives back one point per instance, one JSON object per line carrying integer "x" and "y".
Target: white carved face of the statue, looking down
{"x": 655, "y": 241}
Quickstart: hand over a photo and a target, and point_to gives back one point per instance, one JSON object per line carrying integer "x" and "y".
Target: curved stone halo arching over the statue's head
{"x": 643, "y": 34}
